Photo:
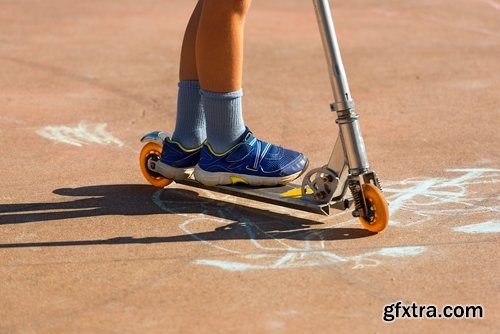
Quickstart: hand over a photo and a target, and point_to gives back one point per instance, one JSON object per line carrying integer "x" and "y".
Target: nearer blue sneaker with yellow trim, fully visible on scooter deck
{"x": 252, "y": 161}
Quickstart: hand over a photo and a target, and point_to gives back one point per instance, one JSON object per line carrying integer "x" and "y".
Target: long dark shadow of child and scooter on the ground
{"x": 245, "y": 222}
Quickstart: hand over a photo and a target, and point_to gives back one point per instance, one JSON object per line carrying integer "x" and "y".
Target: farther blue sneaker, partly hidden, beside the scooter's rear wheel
{"x": 177, "y": 162}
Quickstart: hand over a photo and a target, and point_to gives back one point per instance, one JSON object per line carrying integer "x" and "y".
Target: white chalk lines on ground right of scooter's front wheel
{"x": 419, "y": 200}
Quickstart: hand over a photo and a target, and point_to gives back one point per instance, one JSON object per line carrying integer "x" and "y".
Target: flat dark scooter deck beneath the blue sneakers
{"x": 271, "y": 195}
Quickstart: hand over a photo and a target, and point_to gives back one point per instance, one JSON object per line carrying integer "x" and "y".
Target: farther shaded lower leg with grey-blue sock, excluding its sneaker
{"x": 190, "y": 128}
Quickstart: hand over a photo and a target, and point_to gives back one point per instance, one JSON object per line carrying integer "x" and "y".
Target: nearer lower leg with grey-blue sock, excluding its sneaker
{"x": 219, "y": 59}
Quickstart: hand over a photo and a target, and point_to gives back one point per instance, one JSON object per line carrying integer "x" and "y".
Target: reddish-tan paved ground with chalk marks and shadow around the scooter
{"x": 87, "y": 246}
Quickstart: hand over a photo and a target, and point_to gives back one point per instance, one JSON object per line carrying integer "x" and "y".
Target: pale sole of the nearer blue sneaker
{"x": 222, "y": 178}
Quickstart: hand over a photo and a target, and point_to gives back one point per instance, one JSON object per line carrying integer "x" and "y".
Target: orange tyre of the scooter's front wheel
{"x": 377, "y": 216}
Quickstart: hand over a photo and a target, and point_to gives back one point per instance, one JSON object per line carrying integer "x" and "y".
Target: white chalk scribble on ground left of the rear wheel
{"x": 82, "y": 134}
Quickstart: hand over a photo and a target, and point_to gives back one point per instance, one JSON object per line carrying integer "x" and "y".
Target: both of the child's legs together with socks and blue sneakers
{"x": 212, "y": 57}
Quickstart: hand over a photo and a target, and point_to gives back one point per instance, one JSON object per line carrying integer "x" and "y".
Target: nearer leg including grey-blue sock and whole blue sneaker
{"x": 232, "y": 154}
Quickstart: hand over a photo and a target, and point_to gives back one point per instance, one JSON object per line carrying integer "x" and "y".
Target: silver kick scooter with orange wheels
{"x": 346, "y": 180}
